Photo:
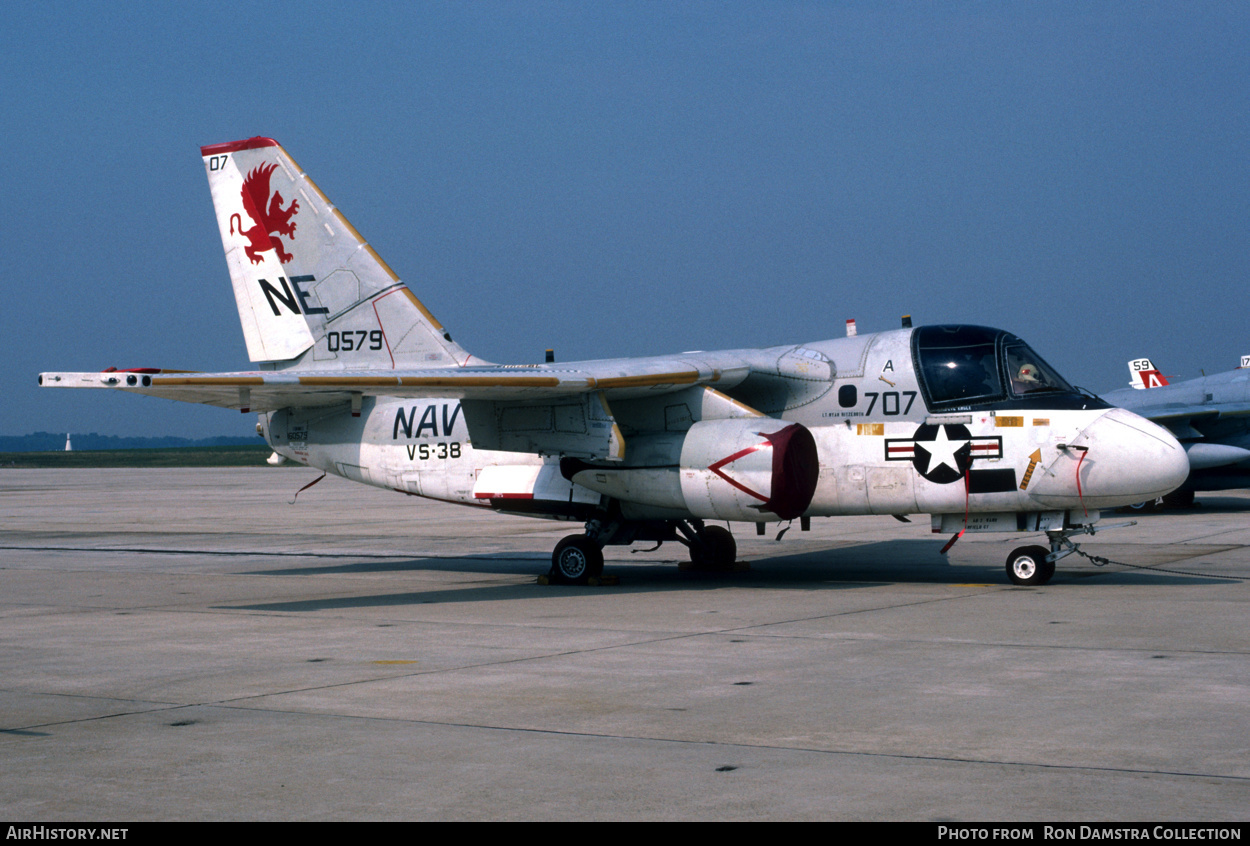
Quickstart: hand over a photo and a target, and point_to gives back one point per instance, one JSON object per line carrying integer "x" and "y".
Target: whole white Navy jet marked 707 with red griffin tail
{"x": 358, "y": 379}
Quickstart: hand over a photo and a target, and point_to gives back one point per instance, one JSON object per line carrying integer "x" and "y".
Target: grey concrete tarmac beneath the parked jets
{"x": 188, "y": 645}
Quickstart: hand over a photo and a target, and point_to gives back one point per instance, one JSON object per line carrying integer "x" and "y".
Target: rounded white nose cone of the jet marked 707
{"x": 1127, "y": 460}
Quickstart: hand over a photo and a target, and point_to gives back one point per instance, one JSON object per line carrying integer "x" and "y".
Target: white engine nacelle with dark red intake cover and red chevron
{"x": 751, "y": 470}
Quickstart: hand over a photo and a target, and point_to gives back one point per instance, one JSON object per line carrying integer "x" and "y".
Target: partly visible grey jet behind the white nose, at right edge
{"x": 1211, "y": 417}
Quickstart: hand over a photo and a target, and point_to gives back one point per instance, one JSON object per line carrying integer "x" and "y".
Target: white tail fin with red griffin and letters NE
{"x": 312, "y": 293}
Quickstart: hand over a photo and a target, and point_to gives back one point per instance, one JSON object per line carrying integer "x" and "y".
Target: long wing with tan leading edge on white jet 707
{"x": 269, "y": 391}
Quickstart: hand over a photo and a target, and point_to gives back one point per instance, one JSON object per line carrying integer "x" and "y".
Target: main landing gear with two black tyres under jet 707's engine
{"x": 579, "y": 559}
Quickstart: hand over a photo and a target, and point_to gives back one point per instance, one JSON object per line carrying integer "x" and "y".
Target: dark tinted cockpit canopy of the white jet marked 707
{"x": 977, "y": 367}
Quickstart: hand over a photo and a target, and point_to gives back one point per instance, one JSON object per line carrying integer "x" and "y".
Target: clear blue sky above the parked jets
{"x": 636, "y": 178}
